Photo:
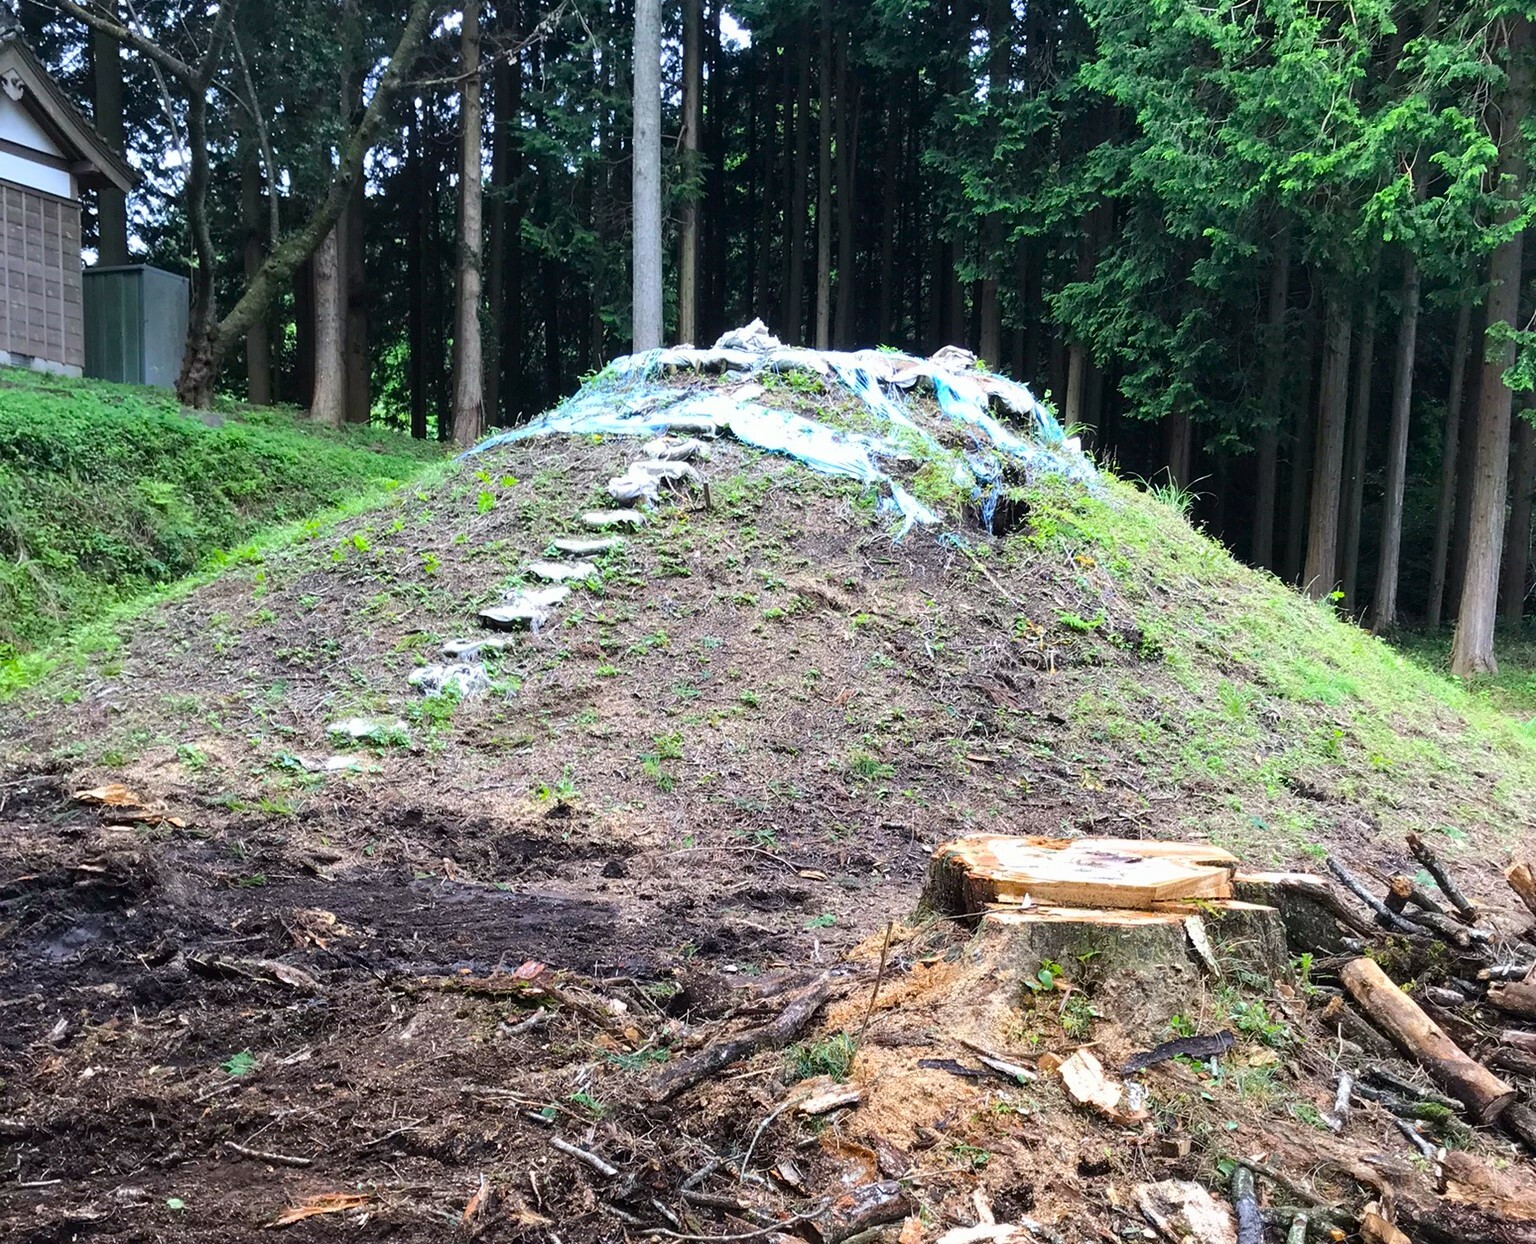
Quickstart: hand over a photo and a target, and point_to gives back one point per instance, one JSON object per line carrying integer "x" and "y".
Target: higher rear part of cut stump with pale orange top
{"x": 972, "y": 875}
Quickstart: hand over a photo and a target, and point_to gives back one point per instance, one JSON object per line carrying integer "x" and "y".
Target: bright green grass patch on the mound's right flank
{"x": 1260, "y": 686}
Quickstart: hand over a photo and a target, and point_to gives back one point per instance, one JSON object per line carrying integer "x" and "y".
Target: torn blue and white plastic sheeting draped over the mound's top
{"x": 629, "y": 400}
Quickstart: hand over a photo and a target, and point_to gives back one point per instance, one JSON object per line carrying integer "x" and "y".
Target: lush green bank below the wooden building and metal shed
{"x": 108, "y": 491}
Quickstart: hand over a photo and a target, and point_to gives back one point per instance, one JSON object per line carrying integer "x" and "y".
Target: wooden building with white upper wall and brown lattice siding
{"x": 48, "y": 156}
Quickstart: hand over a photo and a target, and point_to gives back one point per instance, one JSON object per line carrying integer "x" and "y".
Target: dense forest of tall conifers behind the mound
{"x": 1266, "y": 253}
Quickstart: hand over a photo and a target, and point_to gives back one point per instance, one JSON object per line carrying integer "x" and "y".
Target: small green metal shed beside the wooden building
{"x": 136, "y": 325}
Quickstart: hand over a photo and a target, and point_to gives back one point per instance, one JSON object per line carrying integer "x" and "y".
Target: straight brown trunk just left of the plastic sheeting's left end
{"x": 469, "y": 372}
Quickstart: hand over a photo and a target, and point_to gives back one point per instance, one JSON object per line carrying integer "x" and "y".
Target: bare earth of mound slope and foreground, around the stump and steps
{"x": 720, "y": 770}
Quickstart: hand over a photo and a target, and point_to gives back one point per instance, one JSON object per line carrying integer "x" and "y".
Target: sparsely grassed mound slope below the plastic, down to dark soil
{"x": 778, "y": 667}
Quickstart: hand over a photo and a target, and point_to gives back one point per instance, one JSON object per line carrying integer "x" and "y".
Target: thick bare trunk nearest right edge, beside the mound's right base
{"x": 1472, "y": 650}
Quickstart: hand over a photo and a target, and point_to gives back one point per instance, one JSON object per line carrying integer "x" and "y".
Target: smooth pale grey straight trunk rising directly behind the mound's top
{"x": 647, "y": 160}
